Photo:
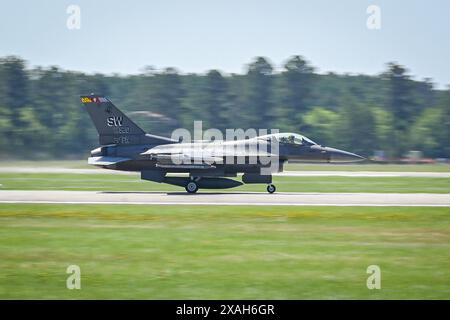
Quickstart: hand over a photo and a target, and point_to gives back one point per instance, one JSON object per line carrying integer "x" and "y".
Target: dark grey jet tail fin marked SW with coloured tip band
{"x": 112, "y": 125}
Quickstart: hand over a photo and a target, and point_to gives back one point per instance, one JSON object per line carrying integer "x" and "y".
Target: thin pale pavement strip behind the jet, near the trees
{"x": 341, "y": 173}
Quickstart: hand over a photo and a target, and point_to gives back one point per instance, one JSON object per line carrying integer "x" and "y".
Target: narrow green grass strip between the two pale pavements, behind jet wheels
{"x": 106, "y": 182}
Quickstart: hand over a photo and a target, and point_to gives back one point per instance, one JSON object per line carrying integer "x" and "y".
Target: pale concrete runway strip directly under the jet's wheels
{"x": 227, "y": 198}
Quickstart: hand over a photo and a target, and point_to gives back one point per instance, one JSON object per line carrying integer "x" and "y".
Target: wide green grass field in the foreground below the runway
{"x": 192, "y": 252}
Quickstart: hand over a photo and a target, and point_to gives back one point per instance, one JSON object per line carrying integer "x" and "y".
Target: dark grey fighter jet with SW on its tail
{"x": 198, "y": 164}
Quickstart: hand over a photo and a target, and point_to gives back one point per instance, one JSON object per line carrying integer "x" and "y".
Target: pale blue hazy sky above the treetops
{"x": 199, "y": 35}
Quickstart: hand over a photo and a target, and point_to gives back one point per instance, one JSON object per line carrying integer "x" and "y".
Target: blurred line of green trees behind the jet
{"x": 41, "y": 115}
